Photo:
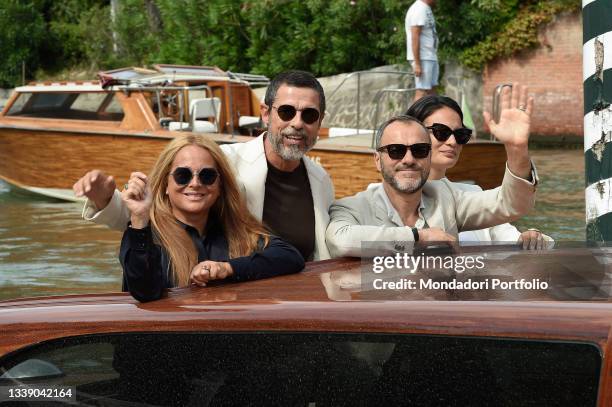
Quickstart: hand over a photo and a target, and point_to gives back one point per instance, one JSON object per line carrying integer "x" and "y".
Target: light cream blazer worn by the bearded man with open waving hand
{"x": 364, "y": 218}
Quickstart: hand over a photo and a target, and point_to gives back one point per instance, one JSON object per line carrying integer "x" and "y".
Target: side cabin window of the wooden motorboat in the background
{"x": 100, "y": 106}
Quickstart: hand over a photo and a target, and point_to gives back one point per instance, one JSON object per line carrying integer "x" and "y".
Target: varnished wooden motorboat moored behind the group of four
{"x": 51, "y": 133}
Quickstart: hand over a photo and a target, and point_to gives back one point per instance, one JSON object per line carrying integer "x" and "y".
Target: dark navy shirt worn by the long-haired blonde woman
{"x": 146, "y": 265}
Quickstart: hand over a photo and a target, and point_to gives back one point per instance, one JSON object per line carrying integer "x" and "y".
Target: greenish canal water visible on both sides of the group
{"x": 46, "y": 249}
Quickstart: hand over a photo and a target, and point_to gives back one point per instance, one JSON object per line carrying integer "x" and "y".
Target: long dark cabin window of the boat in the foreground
{"x": 317, "y": 369}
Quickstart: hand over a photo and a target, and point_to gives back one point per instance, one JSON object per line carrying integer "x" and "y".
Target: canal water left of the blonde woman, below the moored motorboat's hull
{"x": 46, "y": 249}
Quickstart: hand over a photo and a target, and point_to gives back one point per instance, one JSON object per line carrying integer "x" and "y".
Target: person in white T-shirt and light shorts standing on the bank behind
{"x": 422, "y": 47}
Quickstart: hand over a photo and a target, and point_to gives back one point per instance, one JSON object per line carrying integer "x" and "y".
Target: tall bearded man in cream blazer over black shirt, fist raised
{"x": 283, "y": 187}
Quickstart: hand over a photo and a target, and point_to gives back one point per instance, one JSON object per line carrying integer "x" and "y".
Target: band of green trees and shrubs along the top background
{"x": 259, "y": 36}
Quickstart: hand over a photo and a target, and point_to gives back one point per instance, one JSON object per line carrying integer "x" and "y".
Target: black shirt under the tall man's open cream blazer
{"x": 288, "y": 208}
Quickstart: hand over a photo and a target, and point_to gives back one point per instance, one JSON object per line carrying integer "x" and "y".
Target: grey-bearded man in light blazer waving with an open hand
{"x": 406, "y": 208}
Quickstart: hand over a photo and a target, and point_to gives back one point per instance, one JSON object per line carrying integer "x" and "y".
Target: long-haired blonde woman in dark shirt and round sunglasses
{"x": 189, "y": 224}
